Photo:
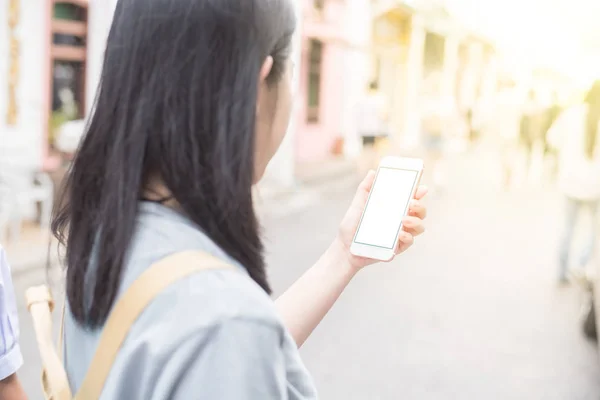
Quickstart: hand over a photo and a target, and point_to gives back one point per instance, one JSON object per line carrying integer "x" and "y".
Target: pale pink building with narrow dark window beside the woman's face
{"x": 332, "y": 74}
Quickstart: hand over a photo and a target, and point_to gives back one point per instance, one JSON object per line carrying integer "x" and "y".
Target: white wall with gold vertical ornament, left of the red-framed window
{"x": 25, "y": 99}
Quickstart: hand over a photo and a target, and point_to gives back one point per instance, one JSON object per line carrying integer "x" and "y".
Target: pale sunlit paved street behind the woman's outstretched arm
{"x": 472, "y": 312}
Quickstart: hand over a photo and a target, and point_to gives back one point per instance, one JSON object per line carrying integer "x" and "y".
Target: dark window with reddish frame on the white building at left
{"x": 68, "y": 63}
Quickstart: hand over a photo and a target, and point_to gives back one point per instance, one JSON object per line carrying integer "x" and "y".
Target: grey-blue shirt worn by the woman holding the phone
{"x": 213, "y": 335}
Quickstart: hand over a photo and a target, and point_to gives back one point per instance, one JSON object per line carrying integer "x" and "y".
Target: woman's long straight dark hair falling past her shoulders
{"x": 177, "y": 101}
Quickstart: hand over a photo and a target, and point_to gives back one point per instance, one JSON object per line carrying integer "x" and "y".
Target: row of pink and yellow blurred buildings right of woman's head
{"x": 348, "y": 44}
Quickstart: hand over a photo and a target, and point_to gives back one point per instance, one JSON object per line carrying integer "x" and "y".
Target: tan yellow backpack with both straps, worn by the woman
{"x": 125, "y": 312}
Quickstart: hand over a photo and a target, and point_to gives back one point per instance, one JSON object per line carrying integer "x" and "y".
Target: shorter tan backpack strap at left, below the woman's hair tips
{"x": 54, "y": 377}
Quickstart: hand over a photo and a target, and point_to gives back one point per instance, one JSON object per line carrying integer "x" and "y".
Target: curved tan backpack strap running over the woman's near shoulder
{"x": 129, "y": 307}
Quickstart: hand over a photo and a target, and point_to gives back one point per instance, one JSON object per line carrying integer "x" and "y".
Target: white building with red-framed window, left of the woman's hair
{"x": 54, "y": 57}
